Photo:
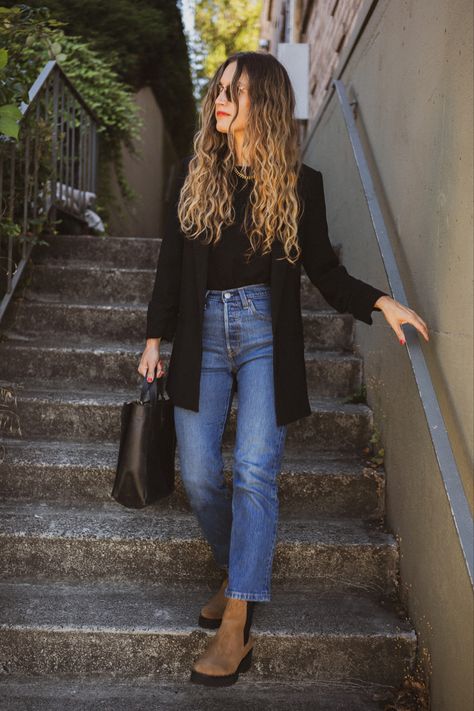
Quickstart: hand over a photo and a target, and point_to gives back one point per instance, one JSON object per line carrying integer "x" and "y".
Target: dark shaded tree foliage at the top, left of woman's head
{"x": 144, "y": 42}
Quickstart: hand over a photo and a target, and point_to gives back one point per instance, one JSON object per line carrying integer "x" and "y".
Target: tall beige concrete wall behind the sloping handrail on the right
{"x": 410, "y": 69}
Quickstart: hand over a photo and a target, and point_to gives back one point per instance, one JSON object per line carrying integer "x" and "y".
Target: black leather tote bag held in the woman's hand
{"x": 145, "y": 468}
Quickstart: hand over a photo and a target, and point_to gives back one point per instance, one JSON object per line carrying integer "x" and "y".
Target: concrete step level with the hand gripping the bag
{"x": 85, "y": 361}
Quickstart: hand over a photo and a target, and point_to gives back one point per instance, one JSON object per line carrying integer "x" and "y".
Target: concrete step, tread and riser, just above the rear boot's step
{"x": 106, "y": 540}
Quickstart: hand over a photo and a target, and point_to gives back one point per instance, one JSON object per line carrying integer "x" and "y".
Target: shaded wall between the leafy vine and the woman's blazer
{"x": 147, "y": 174}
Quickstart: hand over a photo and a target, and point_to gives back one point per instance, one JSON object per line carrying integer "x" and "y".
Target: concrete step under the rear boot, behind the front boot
{"x": 303, "y": 634}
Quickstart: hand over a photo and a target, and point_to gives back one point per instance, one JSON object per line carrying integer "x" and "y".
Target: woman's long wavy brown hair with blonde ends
{"x": 271, "y": 139}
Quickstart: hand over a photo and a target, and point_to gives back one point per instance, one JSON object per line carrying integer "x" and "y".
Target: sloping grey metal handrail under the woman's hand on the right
{"x": 452, "y": 481}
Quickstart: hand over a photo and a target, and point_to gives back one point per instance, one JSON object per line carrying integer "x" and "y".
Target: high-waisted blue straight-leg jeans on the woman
{"x": 240, "y": 526}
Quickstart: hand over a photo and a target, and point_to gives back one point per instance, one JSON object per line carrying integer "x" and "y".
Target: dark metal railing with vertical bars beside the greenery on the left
{"x": 72, "y": 126}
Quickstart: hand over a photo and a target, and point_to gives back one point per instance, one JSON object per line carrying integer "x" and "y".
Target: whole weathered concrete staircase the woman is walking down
{"x": 98, "y": 603}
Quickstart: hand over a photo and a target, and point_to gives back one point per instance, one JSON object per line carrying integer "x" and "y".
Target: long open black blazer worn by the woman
{"x": 175, "y": 311}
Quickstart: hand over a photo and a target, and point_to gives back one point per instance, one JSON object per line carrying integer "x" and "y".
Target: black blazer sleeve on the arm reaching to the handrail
{"x": 341, "y": 290}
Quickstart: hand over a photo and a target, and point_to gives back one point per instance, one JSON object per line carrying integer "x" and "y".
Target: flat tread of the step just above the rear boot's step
{"x": 110, "y": 520}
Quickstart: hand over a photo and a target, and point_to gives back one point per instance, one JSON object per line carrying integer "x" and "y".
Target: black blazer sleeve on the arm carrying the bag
{"x": 163, "y": 306}
